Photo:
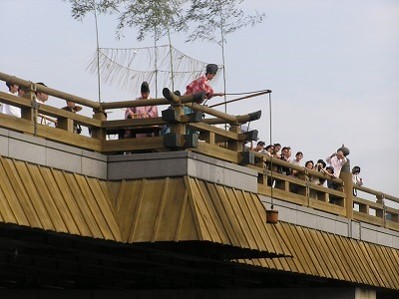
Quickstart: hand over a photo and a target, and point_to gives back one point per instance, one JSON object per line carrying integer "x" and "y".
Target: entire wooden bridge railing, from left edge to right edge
{"x": 193, "y": 132}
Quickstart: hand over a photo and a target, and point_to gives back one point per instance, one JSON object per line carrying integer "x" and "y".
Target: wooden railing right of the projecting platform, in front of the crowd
{"x": 348, "y": 200}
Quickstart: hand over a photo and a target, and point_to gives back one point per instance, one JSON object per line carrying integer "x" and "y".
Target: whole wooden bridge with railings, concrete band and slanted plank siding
{"x": 183, "y": 211}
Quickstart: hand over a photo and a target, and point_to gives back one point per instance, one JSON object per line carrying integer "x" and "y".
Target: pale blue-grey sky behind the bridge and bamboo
{"x": 332, "y": 66}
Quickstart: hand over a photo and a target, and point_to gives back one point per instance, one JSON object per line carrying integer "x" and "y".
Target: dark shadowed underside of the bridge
{"x": 32, "y": 258}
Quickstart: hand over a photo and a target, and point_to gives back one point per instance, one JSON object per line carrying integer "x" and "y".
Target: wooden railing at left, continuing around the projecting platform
{"x": 185, "y": 131}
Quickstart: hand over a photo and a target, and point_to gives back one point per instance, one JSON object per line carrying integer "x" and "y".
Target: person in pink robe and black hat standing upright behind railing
{"x": 141, "y": 112}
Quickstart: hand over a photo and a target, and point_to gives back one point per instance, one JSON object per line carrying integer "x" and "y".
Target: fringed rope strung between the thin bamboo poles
{"x": 129, "y": 67}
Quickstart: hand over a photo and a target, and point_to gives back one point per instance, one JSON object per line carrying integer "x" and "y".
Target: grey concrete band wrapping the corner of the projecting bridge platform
{"x": 181, "y": 163}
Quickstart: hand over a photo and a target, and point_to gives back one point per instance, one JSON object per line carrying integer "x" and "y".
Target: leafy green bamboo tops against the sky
{"x": 205, "y": 18}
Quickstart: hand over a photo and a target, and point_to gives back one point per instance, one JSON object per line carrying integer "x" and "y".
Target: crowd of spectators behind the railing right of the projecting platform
{"x": 331, "y": 166}
